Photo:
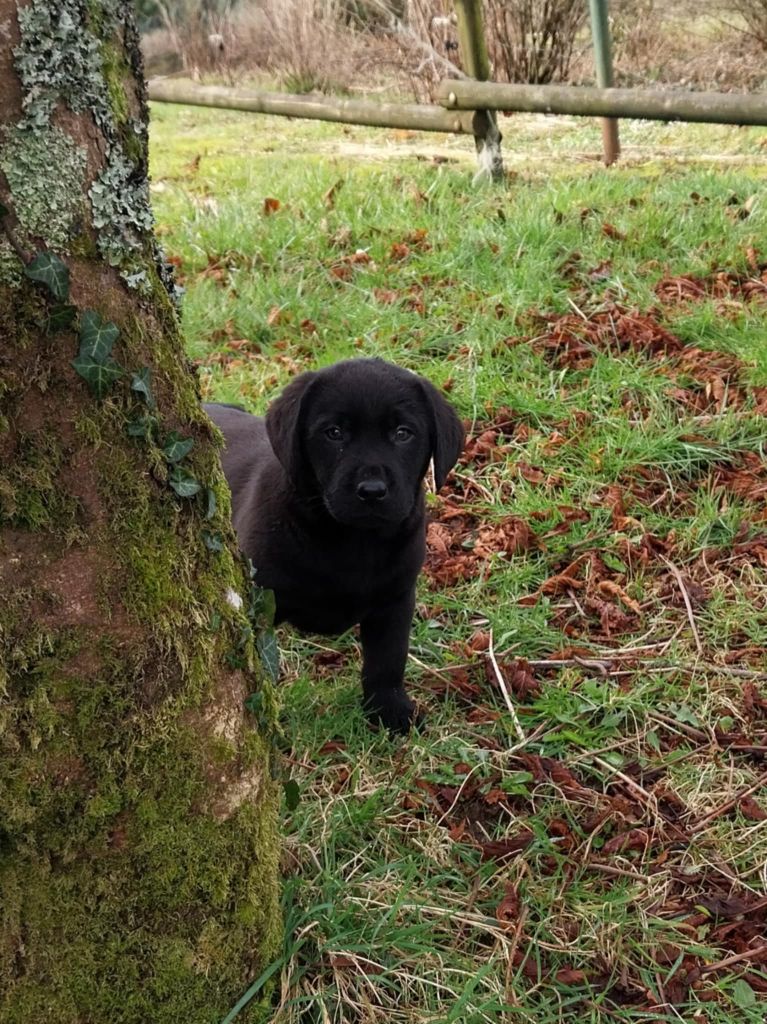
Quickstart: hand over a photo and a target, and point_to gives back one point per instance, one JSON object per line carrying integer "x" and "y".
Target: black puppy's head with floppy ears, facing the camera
{"x": 361, "y": 435}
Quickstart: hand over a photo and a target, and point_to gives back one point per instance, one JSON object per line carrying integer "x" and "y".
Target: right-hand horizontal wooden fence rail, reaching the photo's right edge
{"x": 656, "y": 105}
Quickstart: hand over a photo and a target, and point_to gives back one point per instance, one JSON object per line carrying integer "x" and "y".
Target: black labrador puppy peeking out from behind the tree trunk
{"x": 328, "y": 504}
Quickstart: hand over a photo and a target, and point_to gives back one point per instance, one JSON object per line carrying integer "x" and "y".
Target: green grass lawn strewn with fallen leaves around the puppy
{"x": 606, "y": 866}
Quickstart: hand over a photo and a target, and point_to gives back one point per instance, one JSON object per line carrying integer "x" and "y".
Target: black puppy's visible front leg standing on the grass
{"x": 386, "y": 637}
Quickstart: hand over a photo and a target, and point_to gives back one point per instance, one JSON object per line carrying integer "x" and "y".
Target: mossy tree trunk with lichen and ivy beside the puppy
{"x": 139, "y": 855}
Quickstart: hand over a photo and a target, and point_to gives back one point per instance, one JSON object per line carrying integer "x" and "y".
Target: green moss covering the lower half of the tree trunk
{"x": 138, "y": 869}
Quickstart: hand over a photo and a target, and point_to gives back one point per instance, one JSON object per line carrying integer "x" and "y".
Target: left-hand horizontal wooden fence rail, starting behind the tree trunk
{"x": 416, "y": 117}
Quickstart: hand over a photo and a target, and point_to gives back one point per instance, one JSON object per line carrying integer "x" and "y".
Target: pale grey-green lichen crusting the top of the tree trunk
{"x": 68, "y": 55}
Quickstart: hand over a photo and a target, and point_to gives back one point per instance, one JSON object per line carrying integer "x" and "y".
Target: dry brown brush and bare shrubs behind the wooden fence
{"x": 406, "y": 47}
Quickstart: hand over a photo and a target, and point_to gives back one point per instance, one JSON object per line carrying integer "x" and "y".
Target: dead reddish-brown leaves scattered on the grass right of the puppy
{"x": 633, "y": 824}
